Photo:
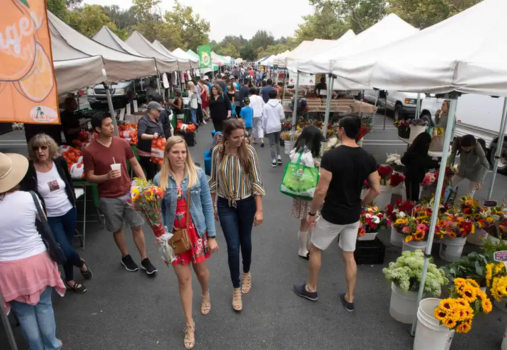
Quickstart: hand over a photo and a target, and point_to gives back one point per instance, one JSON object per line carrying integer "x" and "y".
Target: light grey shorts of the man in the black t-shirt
{"x": 325, "y": 232}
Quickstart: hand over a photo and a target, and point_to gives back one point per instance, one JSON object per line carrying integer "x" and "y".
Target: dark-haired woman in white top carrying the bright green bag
{"x": 307, "y": 146}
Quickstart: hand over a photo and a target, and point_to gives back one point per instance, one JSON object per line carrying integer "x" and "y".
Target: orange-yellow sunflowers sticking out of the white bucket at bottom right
{"x": 466, "y": 301}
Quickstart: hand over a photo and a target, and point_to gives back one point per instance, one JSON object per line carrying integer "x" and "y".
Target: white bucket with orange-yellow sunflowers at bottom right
{"x": 438, "y": 319}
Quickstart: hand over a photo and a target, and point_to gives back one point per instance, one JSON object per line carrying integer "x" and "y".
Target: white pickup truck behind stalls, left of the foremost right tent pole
{"x": 401, "y": 104}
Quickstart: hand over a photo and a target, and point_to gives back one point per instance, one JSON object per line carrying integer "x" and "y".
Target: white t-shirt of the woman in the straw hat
{"x": 19, "y": 238}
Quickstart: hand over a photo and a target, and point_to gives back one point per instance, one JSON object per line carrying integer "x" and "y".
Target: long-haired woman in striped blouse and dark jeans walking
{"x": 236, "y": 179}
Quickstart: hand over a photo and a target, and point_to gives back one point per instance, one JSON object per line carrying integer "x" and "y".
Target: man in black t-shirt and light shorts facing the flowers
{"x": 343, "y": 172}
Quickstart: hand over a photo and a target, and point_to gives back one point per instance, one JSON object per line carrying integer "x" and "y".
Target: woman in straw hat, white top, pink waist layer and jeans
{"x": 27, "y": 273}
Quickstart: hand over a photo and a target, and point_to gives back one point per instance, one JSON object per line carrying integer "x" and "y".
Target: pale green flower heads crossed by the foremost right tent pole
{"x": 406, "y": 274}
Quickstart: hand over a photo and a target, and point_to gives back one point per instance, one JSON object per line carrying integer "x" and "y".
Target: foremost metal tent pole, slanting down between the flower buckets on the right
{"x": 438, "y": 194}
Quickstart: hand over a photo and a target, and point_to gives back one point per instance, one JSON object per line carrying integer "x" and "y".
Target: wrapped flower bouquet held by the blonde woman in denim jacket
{"x": 147, "y": 199}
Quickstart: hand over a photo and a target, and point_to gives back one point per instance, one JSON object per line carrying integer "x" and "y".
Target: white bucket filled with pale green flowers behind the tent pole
{"x": 405, "y": 277}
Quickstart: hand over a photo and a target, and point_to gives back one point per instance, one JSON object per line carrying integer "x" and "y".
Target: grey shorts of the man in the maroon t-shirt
{"x": 116, "y": 211}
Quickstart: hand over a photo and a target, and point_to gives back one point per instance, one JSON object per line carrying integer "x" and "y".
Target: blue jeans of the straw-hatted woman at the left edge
{"x": 38, "y": 322}
